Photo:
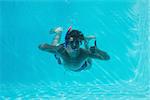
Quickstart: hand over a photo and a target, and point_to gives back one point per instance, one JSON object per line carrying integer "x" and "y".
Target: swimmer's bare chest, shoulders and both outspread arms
{"x": 74, "y": 63}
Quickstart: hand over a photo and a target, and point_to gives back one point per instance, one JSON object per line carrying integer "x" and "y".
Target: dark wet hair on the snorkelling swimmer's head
{"x": 77, "y": 35}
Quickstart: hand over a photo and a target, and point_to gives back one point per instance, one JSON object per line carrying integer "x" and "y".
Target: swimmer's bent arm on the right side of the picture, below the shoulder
{"x": 98, "y": 54}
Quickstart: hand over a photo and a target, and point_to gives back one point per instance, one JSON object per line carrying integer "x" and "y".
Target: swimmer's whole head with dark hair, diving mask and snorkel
{"x": 73, "y": 39}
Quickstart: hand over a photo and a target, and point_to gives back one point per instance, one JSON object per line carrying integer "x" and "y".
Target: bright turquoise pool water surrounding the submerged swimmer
{"x": 121, "y": 28}
